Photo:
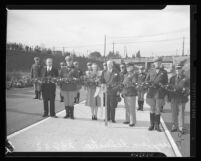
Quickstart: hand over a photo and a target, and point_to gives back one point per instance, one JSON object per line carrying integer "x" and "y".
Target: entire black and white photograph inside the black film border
{"x": 99, "y": 81}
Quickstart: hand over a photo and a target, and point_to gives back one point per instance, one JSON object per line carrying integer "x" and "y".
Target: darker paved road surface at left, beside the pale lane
{"x": 22, "y": 110}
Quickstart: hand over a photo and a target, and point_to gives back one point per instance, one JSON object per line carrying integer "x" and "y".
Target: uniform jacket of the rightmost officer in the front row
{"x": 179, "y": 84}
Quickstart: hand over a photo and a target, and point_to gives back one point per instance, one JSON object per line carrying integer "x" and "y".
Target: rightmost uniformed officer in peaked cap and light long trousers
{"x": 178, "y": 101}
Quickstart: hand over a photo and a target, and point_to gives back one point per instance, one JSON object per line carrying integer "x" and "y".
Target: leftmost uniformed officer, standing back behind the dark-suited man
{"x": 35, "y": 74}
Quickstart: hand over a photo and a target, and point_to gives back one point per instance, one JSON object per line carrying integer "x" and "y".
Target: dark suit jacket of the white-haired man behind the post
{"x": 112, "y": 80}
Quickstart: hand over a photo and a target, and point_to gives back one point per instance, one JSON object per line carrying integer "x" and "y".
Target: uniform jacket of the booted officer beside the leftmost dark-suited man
{"x": 69, "y": 72}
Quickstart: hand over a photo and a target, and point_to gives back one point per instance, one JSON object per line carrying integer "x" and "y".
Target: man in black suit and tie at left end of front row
{"x": 49, "y": 88}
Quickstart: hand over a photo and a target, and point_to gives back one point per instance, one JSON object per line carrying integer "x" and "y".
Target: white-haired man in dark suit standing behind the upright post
{"x": 112, "y": 80}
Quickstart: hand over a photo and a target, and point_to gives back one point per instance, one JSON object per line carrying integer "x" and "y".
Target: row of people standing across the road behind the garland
{"x": 117, "y": 83}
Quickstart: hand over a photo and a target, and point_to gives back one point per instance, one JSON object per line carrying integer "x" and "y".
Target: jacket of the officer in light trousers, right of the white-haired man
{"x": 129, "y": 79}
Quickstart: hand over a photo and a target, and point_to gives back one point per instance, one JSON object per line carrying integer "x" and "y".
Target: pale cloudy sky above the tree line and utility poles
{"x": 153, "y": 32}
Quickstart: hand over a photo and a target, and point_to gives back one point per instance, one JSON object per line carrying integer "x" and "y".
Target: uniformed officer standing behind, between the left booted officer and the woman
{"x": 79, "y": 85}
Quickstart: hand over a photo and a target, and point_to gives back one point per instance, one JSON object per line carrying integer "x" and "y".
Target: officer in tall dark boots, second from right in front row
{"x": 156, "y": 94}
